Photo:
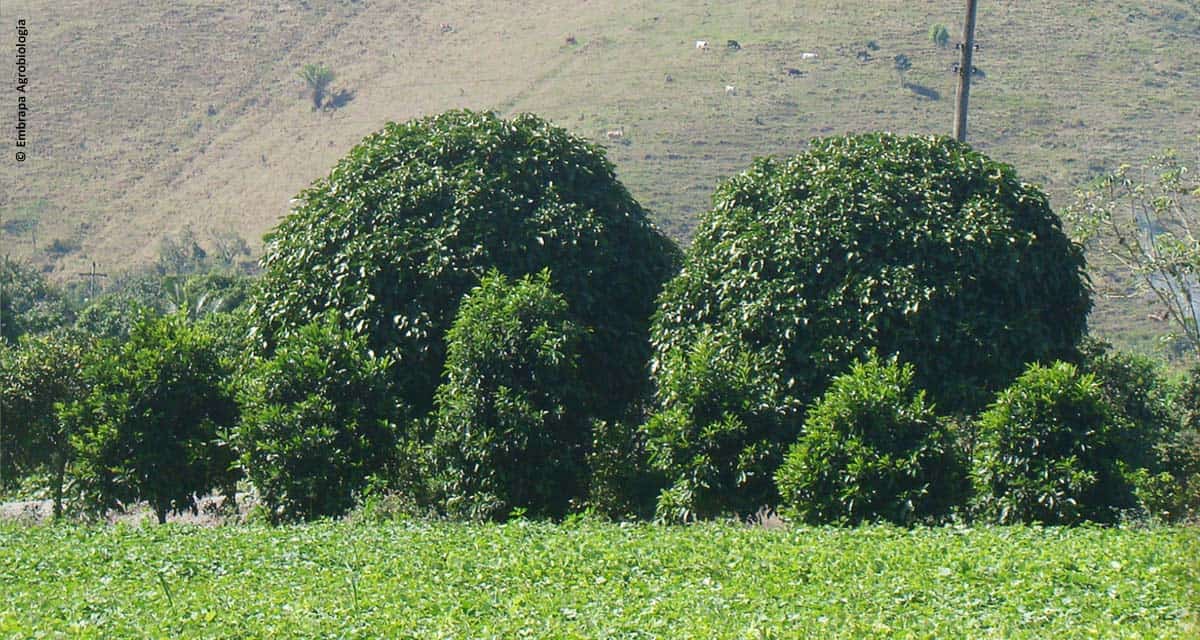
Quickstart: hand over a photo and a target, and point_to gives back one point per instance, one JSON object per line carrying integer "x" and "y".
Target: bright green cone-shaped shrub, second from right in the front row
{"x": 873, "y": 450}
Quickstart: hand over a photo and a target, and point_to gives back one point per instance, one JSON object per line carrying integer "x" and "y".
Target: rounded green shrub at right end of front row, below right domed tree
{"x": 1052, "y": 451}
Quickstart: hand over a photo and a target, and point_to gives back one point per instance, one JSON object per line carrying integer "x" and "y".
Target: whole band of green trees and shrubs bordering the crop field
{"x": 465, "y": 298}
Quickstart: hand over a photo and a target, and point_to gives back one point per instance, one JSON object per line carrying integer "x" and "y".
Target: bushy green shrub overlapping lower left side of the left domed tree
{"x": 317, "y": 422}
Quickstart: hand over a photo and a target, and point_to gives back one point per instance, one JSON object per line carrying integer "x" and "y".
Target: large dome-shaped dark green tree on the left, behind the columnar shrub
{"x": 419, "y": 212}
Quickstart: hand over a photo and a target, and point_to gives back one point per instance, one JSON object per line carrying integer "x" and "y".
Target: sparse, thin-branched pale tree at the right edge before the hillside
{"x": 1147, "y": 228}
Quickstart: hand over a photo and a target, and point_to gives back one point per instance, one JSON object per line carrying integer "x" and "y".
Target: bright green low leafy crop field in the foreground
{"x": 533, "y": 581}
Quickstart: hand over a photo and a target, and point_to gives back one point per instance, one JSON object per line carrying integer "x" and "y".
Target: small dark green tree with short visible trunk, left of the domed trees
{"x": 148, "y": 428}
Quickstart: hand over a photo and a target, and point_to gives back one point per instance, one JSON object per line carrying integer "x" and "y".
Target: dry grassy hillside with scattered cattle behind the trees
{"x": 191, "y": 113}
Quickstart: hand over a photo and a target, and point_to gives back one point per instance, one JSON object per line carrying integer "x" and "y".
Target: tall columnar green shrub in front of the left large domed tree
{"x": 512, "y": 428}
